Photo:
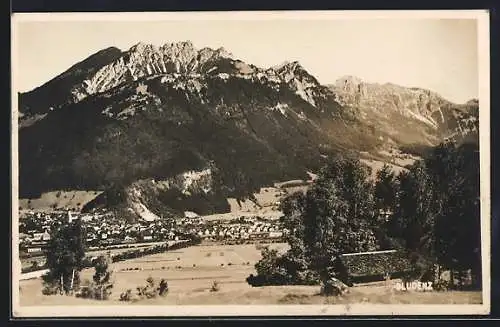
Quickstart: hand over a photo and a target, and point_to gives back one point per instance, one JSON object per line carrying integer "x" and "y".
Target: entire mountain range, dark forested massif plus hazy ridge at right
{"x": 137, "y": 124}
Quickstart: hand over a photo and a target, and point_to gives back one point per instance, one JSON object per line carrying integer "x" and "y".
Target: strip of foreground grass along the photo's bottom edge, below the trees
{"x": 241, "y": 294}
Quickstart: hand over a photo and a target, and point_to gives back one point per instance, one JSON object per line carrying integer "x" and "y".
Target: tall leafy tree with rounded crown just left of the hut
{"x": 339, "y": 215}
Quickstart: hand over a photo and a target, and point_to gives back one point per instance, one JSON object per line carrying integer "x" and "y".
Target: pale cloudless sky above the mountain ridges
{"x": 436, "y": 54}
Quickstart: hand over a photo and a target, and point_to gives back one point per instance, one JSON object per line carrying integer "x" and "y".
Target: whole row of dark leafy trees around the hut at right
{"x": 430, "y": 212}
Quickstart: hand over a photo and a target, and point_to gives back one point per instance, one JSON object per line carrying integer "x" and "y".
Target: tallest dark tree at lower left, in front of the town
{"x": 64, "y": 255}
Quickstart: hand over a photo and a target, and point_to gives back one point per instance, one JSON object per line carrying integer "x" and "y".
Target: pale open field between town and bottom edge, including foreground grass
{"x": 191, "y": 271}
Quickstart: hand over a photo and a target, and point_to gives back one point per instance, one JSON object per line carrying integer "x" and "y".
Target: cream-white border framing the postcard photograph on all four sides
{"x": 104, "y": 310}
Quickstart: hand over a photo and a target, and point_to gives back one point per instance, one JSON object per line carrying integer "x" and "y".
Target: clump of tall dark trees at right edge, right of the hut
{"x": 438, "y": 209}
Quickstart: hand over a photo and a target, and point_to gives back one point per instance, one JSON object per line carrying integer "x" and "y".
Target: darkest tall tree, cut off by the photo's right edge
{"x": 455, "y": 171}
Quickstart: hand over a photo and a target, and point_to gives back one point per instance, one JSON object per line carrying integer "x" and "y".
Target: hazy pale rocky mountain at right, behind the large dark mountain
{"x": 393, "y": 107}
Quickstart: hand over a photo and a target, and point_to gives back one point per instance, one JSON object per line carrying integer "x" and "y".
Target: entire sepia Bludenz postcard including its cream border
{"x": 279, "y": 163}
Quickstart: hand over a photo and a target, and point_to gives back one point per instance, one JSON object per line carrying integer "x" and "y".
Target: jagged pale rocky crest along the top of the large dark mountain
{"x": 175, "y": 59}
